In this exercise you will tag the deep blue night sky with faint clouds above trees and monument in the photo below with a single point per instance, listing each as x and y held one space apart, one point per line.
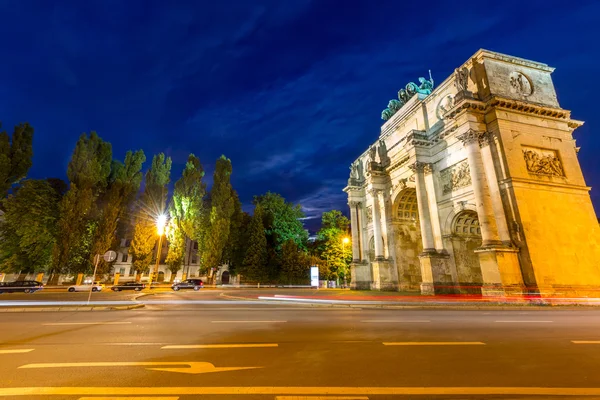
291 91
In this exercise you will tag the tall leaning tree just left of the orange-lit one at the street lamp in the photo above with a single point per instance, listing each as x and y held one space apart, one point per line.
114 204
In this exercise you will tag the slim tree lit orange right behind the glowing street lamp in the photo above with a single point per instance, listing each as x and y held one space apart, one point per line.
152 204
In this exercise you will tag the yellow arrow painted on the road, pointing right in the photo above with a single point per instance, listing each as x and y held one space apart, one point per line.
167 366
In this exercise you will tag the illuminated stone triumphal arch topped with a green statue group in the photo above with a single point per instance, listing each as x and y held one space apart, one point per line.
474 186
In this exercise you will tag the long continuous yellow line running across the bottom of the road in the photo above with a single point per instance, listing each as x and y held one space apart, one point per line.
271 390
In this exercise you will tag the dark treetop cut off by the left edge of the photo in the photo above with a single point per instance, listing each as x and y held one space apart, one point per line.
15 156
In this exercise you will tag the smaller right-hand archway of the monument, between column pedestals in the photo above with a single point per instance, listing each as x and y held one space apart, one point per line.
466 237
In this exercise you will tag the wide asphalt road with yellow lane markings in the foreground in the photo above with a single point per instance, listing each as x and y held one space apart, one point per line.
300 353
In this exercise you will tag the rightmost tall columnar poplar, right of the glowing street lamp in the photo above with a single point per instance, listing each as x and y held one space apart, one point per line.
221 209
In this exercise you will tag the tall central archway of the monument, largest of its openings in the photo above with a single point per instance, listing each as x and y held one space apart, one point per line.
408 243
